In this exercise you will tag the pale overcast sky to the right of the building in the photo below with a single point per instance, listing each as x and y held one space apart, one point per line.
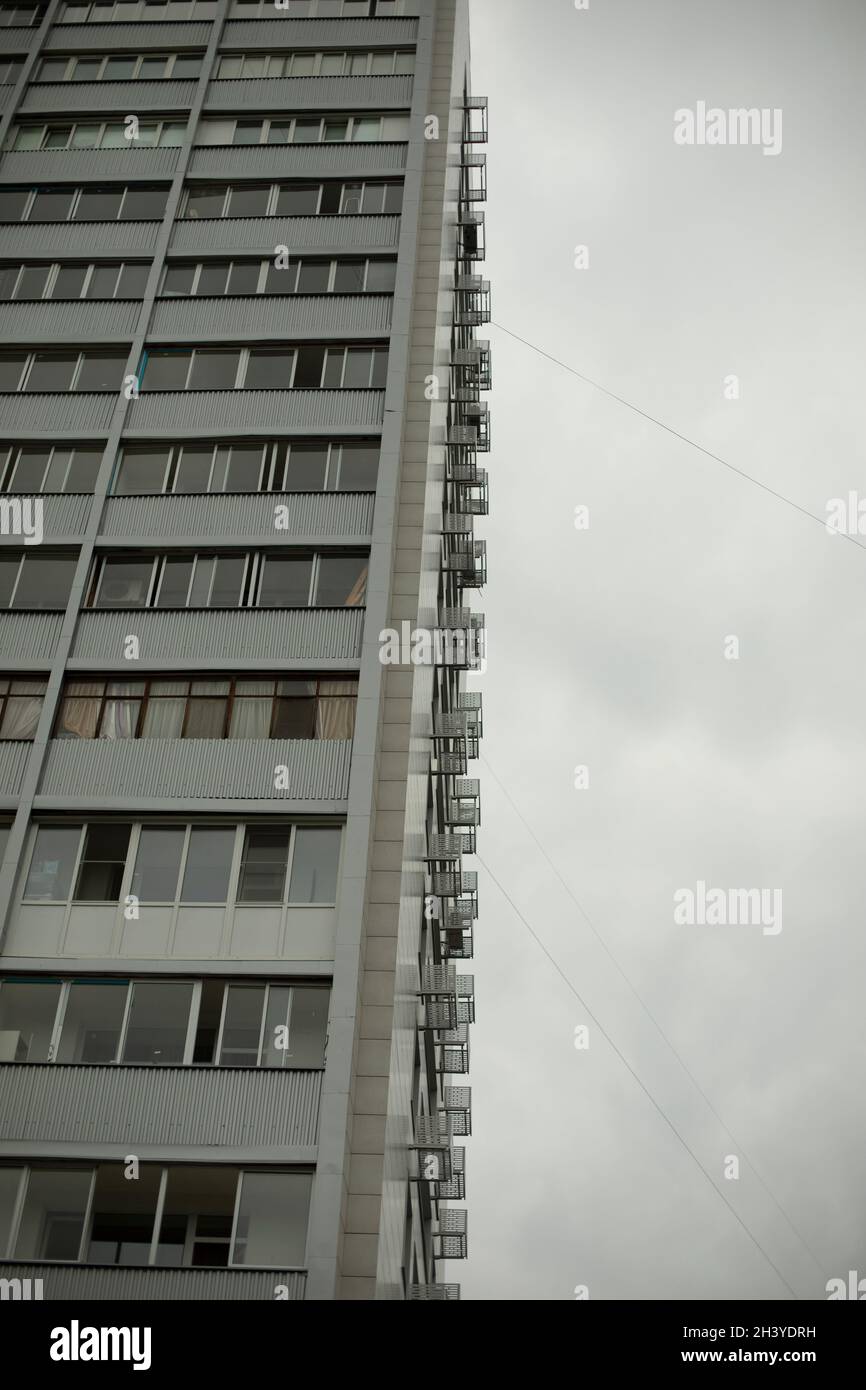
608 651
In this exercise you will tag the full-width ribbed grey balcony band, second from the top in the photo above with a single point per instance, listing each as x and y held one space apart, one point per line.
329 94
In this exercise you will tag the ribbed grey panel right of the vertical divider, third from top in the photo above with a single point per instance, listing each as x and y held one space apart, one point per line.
368 159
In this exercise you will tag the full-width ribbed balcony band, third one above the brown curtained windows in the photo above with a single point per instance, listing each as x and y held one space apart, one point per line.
188 415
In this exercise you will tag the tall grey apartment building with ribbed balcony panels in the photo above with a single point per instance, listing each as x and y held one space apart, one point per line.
241 422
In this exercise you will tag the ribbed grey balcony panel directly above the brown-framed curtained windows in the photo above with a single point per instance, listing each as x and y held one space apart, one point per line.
223 636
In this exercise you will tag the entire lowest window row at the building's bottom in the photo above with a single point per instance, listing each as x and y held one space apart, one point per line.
83 1214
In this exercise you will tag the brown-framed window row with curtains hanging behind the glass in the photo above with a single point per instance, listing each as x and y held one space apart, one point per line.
187 710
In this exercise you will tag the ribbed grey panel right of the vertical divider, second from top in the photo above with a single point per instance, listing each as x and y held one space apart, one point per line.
380 92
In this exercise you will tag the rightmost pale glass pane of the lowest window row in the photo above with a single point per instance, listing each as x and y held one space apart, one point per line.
273 1220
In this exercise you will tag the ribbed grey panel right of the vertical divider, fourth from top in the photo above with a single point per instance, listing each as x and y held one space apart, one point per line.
301 234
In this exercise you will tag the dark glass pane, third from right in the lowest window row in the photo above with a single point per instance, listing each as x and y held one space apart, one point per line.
123 1216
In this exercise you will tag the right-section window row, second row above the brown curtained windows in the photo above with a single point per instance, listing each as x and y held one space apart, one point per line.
245 468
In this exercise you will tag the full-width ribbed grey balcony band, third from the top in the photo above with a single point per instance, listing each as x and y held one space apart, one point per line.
366 159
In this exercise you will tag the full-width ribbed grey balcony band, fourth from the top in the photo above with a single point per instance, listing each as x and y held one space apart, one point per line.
247 236
